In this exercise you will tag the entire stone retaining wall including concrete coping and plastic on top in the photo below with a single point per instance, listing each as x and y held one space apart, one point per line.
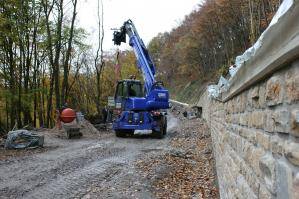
255 123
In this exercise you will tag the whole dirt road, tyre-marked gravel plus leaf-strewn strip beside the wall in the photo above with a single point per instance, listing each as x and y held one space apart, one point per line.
111 167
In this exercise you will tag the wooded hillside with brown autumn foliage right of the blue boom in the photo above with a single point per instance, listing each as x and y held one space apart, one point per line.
209 38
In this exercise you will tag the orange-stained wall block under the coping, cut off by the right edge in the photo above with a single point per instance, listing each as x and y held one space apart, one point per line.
292 84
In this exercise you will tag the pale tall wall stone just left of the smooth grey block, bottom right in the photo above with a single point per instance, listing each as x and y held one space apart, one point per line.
268 170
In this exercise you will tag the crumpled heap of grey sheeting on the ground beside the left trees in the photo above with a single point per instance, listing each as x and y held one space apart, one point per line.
21 139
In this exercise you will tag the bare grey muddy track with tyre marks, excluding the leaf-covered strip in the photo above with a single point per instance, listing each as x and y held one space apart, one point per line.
84 168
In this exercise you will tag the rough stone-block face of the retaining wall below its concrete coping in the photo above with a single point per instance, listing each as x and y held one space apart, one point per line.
256 138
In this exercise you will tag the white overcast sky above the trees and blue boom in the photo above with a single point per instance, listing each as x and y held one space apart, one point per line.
149 16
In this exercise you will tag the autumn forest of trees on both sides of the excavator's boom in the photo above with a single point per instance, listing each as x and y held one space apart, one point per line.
45 62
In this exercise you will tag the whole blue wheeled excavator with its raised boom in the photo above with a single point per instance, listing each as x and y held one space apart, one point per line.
139 107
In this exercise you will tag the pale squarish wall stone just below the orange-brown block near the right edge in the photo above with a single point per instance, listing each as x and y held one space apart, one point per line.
281 120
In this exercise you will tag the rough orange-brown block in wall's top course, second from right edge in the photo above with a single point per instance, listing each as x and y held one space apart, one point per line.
274 91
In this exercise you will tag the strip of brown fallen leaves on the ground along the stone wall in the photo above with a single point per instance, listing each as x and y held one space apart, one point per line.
186 171
